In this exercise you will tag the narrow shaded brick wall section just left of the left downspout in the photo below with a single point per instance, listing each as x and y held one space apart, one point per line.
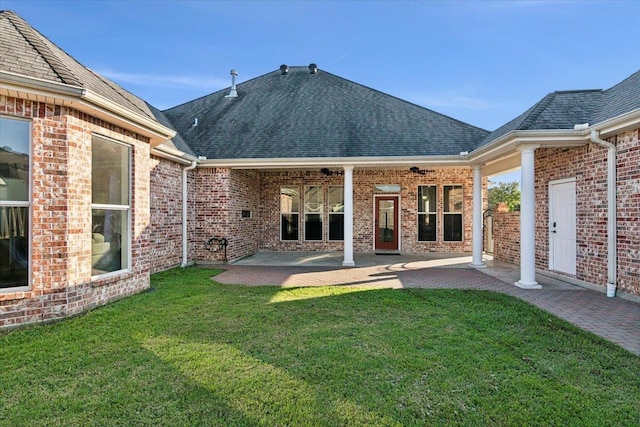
165 242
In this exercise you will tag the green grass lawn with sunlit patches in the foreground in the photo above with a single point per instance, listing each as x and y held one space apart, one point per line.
195 352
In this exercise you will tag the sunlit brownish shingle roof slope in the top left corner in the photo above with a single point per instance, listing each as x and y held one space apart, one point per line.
25 51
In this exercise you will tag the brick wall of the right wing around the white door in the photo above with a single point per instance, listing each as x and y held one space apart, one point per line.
588 165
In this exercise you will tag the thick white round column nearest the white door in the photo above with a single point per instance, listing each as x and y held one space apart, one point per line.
527 220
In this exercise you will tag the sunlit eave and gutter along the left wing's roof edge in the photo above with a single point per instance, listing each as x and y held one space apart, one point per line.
32 88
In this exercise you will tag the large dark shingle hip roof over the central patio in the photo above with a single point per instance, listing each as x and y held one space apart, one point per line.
315 115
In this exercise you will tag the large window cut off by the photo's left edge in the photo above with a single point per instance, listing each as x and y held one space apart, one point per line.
15 196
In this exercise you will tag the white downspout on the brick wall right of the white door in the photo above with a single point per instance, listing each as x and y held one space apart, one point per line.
612 244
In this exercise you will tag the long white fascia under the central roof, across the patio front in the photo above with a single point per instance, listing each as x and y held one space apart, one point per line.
335 162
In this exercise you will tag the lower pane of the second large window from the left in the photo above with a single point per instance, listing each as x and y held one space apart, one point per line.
109 240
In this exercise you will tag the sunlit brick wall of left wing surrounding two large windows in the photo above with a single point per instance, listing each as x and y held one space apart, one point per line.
61 216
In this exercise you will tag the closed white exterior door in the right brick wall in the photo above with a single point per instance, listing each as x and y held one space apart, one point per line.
562 226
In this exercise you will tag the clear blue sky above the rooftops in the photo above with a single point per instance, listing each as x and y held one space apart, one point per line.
480 62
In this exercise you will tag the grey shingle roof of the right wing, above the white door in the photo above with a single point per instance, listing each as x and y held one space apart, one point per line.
565 109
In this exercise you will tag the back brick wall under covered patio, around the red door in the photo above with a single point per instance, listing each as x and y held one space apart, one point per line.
364 181
